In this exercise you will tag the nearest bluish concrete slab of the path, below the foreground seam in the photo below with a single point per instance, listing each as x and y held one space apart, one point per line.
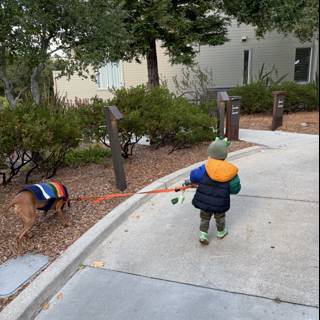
115 295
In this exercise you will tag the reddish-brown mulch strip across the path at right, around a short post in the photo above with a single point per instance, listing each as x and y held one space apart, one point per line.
300 122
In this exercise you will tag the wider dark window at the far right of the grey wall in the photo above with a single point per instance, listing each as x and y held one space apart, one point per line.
302 65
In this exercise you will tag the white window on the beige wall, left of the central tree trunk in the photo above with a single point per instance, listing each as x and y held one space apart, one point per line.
110 76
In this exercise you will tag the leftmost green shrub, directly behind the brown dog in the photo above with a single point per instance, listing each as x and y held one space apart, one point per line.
37 136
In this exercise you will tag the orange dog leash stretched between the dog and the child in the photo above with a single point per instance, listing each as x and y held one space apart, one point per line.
99 199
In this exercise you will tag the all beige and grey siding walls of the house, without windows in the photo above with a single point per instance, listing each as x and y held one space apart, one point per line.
225 61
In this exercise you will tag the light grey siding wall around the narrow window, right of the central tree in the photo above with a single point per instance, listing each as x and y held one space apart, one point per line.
227 61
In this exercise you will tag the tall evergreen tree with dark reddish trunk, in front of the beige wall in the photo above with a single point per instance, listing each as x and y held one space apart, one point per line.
179 25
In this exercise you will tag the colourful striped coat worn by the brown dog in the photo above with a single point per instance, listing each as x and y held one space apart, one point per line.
48 192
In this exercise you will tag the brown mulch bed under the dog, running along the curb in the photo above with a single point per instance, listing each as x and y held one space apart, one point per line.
50 238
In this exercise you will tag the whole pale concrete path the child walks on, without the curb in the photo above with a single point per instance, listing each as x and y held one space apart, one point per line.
267 268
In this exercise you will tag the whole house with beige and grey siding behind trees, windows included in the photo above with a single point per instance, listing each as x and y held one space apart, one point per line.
236 62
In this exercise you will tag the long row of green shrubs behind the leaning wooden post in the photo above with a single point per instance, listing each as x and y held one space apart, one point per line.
46 137
